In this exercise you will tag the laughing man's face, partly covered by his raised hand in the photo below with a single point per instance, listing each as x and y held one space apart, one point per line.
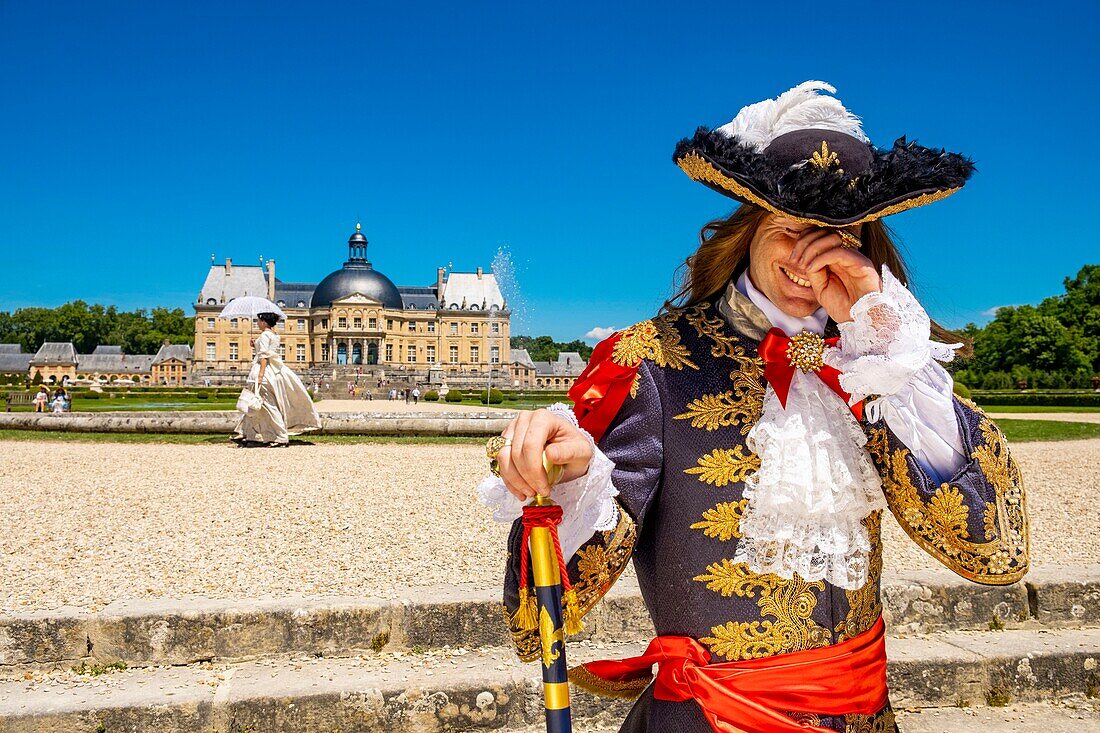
772 270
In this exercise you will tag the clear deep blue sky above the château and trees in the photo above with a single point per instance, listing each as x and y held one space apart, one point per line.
141 138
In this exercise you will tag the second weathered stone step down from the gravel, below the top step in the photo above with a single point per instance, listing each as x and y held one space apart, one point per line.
489 688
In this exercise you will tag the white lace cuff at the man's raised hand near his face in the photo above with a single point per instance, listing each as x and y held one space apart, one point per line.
886 344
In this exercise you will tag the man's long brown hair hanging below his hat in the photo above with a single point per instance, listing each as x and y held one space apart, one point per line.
724 251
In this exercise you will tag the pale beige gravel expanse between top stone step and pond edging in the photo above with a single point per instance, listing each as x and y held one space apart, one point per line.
86 524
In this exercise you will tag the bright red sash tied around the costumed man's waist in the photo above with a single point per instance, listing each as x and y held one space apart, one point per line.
752 696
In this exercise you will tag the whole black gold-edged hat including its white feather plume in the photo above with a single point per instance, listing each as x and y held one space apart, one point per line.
806 157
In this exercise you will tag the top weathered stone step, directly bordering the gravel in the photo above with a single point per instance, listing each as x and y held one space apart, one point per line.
142 633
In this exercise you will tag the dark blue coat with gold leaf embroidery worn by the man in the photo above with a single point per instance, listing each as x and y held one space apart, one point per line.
678 443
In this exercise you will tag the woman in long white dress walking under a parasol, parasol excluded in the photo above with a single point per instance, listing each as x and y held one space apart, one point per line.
288 409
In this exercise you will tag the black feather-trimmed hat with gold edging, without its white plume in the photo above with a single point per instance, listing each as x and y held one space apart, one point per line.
822 177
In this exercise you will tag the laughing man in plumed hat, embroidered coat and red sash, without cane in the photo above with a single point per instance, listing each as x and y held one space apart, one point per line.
741 447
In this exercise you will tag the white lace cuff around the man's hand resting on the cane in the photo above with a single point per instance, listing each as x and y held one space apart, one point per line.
588 502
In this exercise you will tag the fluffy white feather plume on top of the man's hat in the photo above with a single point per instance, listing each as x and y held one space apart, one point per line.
800 108
